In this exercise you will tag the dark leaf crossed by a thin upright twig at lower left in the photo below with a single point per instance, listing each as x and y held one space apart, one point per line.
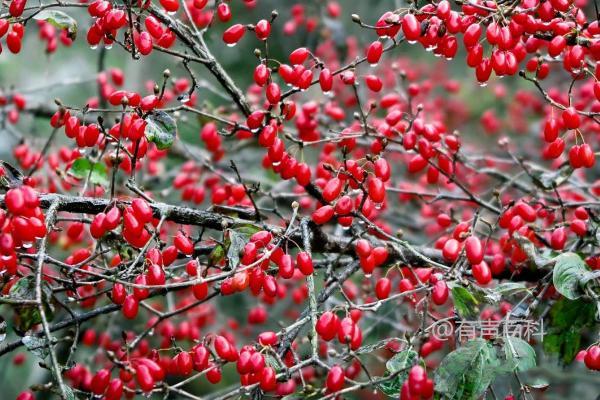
28 315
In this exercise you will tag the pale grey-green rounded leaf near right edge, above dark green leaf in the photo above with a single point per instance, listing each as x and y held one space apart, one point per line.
568 271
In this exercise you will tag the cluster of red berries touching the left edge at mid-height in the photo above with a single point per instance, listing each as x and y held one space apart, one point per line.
20 225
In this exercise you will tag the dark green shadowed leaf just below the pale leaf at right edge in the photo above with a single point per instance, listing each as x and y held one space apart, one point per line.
566 322
